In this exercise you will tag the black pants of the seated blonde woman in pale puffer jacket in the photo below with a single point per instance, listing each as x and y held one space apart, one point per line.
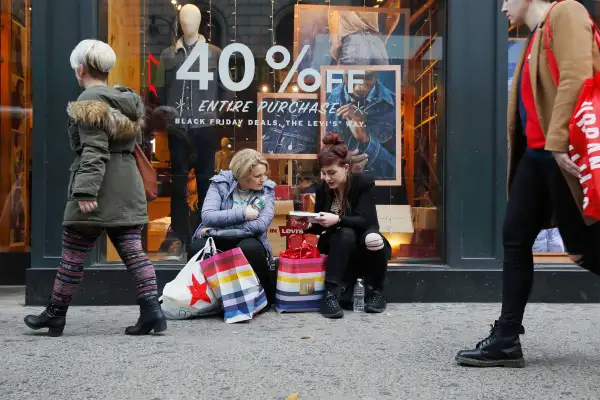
255 254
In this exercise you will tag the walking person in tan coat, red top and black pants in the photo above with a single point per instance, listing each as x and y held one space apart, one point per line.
543 181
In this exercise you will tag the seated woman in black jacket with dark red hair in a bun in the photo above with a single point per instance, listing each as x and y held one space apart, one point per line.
349 232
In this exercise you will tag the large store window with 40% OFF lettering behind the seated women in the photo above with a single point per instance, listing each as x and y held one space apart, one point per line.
285 69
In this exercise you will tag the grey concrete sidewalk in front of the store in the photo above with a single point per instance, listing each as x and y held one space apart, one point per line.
406 353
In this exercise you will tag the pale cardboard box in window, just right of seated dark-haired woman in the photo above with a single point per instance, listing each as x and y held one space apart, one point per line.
395 223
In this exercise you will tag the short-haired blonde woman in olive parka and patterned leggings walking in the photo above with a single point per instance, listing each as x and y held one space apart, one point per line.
105 190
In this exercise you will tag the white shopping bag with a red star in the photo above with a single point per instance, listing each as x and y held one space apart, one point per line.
188 295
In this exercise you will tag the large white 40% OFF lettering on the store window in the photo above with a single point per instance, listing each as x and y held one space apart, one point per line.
204 75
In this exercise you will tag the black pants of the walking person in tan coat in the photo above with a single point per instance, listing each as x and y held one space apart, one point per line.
539 190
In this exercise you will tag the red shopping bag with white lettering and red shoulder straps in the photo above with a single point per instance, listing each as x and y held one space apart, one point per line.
584 128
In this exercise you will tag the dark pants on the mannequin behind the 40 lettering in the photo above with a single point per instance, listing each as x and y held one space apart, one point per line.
191 148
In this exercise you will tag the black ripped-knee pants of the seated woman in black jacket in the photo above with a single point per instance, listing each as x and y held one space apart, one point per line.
349 259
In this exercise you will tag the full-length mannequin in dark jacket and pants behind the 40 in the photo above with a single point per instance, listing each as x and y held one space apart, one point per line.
191 131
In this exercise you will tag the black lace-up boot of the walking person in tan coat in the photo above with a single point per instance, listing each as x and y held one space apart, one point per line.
502 348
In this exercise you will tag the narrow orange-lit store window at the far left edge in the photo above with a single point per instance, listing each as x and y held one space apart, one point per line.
15 125
